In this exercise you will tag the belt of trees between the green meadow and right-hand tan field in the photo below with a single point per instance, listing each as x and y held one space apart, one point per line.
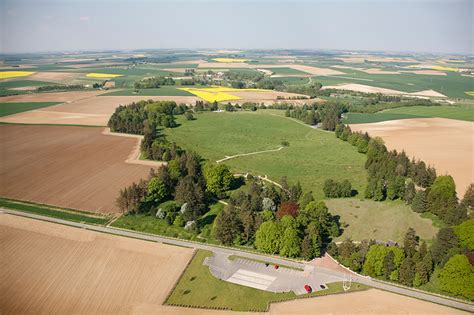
392 175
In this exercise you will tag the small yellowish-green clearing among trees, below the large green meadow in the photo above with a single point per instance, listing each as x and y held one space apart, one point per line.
389 220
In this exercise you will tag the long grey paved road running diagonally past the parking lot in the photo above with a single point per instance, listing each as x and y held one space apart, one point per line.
224 251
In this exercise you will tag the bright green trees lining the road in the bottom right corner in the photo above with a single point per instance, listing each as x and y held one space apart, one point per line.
447 263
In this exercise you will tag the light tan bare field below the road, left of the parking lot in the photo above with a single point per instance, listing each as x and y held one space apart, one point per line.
82 272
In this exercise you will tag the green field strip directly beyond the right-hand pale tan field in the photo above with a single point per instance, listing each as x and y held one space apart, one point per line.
465 112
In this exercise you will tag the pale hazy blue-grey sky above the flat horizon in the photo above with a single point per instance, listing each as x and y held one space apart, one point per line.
400 26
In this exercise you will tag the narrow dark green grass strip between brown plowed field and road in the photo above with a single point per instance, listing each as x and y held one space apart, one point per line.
54 212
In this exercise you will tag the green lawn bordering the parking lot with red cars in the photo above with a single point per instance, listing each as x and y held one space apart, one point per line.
198 288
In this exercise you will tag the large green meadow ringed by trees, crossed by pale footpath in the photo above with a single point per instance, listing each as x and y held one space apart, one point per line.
312 156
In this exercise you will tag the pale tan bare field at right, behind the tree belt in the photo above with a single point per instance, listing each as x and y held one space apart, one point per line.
444 143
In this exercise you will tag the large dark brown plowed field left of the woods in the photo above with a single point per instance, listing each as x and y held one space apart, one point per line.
72 167
